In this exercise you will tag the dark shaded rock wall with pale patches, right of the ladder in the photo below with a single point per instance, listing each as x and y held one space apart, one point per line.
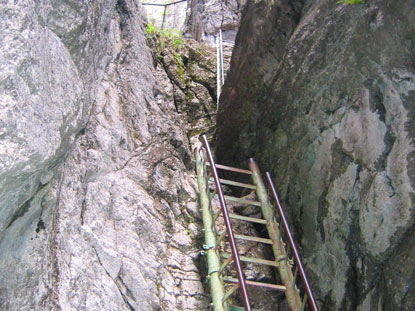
323 96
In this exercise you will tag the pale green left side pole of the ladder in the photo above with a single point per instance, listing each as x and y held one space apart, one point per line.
216 285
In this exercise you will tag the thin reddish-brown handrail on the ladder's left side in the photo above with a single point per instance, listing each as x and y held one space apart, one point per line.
228 225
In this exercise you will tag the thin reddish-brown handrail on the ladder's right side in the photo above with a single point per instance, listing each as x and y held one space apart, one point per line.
296 256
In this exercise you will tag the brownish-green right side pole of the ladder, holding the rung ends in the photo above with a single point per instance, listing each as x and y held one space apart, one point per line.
280 254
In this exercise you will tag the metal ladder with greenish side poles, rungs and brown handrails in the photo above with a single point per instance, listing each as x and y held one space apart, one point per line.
217 262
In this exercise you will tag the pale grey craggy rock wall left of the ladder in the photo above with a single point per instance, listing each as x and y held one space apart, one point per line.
98 201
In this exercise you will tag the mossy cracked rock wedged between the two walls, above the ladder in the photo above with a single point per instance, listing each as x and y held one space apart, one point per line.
192 74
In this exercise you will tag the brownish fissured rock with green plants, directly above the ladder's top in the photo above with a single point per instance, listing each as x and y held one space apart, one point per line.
190 79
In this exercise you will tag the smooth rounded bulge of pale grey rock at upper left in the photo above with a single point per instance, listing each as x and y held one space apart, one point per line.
42 104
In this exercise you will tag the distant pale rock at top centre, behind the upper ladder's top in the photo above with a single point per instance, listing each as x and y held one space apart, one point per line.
205 18
